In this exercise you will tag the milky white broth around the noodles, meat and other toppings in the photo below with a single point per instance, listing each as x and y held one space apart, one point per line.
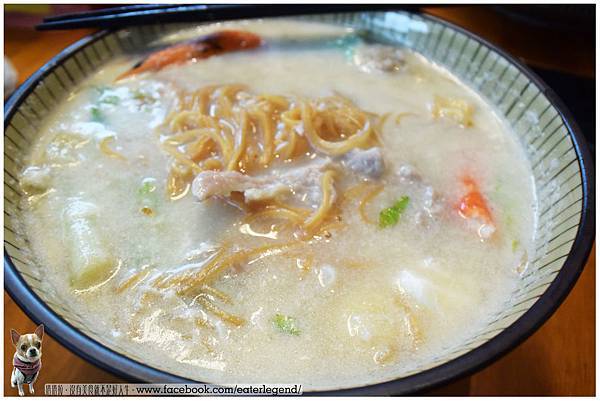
376 303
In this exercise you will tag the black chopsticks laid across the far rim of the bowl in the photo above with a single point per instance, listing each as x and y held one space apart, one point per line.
120 17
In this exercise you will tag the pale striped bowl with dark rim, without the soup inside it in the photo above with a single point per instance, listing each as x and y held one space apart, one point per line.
556 149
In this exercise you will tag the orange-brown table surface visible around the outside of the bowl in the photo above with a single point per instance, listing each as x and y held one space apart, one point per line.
559 359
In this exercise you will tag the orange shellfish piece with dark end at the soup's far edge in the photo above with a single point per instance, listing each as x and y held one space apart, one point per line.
207 46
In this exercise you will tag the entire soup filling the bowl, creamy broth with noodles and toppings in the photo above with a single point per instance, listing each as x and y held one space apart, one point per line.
306 208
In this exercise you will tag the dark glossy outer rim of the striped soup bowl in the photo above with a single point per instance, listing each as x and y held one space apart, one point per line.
465 364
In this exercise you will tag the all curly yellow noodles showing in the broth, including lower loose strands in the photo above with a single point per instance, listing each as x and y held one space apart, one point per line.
227 128
